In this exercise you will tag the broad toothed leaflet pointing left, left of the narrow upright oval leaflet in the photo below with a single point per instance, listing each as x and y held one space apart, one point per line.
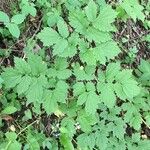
48 36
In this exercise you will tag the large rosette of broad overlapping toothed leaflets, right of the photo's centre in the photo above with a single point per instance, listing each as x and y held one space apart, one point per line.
120 82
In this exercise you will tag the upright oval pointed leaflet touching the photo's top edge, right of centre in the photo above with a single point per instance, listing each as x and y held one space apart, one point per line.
91 11
